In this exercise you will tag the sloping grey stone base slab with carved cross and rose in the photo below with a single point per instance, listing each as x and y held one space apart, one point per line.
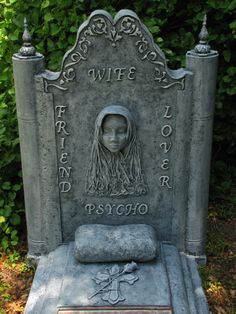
169 284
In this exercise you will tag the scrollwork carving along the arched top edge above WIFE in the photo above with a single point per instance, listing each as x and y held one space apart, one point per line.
126 23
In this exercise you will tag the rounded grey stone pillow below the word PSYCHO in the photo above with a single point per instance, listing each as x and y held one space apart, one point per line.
103 243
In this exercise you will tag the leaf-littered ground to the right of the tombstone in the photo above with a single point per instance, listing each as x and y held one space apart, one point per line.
219 274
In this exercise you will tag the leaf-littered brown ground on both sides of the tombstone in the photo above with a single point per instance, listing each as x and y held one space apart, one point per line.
218 275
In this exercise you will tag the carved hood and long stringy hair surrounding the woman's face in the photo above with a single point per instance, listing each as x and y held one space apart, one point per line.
117 174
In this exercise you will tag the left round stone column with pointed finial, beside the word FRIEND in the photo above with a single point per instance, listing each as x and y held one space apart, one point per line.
26 64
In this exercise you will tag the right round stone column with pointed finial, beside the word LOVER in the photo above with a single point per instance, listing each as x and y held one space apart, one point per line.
202 61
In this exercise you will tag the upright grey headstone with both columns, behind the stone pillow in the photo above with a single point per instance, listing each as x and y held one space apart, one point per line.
158 177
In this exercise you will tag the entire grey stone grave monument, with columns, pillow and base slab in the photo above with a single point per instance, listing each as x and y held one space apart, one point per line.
116 156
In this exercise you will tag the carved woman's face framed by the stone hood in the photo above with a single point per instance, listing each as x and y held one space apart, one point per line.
114 132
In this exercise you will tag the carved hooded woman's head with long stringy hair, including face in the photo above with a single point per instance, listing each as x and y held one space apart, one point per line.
115 167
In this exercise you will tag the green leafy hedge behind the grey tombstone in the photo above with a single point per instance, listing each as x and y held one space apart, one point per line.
175 25
